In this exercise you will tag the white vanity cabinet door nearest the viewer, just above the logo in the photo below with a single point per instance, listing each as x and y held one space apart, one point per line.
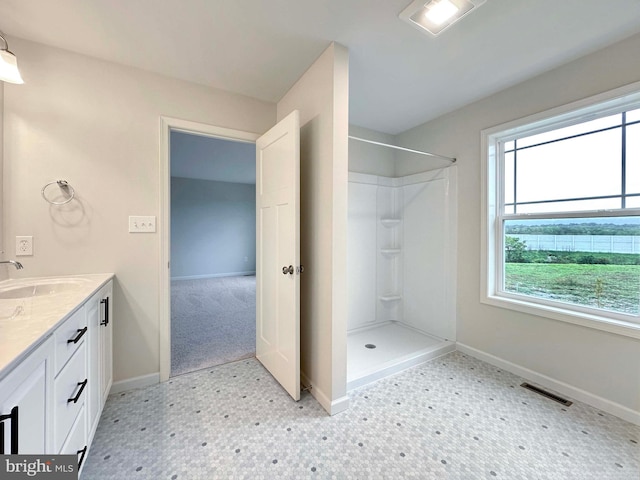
23 406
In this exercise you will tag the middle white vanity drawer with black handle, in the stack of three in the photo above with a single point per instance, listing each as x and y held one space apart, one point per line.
70 393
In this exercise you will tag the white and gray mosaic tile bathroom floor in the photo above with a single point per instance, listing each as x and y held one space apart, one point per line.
453 418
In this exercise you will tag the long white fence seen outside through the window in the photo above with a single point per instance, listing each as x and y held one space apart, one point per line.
582 243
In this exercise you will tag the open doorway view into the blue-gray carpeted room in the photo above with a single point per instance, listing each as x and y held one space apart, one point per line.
213 250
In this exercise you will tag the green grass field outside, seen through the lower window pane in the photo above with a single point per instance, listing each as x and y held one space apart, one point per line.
611 287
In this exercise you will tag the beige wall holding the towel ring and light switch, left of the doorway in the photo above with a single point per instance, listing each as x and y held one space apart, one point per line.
96 124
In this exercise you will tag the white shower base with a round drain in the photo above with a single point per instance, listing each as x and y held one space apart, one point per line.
397 348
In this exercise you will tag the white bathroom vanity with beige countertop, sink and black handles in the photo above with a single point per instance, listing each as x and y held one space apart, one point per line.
55 362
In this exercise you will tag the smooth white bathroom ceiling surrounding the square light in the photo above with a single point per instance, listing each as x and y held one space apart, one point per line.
399 78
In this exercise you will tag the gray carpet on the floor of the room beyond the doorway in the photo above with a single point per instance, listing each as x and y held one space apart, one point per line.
213 321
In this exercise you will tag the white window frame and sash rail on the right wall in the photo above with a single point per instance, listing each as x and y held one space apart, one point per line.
492 139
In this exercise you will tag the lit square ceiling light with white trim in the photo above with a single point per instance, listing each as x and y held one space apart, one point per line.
435 16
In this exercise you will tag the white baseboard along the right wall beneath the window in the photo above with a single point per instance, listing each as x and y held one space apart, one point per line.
561 387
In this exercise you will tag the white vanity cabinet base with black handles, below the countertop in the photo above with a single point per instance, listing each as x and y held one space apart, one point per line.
52 399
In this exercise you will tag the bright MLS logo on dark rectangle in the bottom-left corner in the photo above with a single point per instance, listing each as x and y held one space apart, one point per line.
50 467
